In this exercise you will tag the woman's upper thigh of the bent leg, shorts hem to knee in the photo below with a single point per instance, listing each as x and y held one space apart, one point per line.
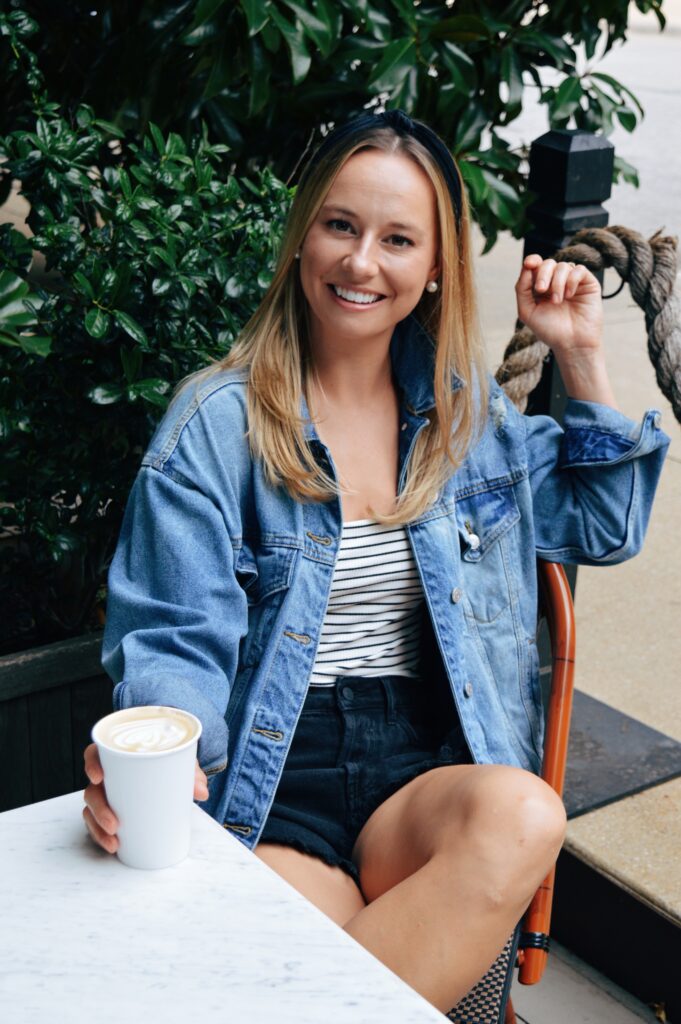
431 815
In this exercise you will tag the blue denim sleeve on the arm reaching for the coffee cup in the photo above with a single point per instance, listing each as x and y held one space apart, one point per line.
176 613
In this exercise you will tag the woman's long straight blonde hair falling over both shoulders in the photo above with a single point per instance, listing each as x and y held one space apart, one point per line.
274 346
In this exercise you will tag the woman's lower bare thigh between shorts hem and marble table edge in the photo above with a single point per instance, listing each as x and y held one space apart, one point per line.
330 889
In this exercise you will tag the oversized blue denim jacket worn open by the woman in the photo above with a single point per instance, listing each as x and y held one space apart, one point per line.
220 585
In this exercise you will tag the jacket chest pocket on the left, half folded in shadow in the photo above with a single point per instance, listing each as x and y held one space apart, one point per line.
265 574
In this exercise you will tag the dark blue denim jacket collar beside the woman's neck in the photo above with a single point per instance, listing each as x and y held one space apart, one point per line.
413 358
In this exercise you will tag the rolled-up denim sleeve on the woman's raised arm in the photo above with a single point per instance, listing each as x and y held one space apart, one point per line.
593 482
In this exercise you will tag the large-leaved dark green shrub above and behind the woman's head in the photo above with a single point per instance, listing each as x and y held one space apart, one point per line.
264 73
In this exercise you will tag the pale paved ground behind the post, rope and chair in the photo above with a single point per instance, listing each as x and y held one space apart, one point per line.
629 642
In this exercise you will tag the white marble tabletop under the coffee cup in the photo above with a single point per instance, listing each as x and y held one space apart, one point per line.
221 937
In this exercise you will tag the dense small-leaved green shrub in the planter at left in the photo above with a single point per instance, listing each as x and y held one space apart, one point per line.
152 266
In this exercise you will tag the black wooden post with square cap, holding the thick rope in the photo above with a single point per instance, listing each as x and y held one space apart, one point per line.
571 173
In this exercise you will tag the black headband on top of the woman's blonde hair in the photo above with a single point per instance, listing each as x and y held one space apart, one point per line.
403 125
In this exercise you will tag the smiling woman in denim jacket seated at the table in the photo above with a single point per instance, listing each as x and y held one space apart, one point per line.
329 558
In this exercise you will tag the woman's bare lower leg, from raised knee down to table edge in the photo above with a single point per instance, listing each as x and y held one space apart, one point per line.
442 927
